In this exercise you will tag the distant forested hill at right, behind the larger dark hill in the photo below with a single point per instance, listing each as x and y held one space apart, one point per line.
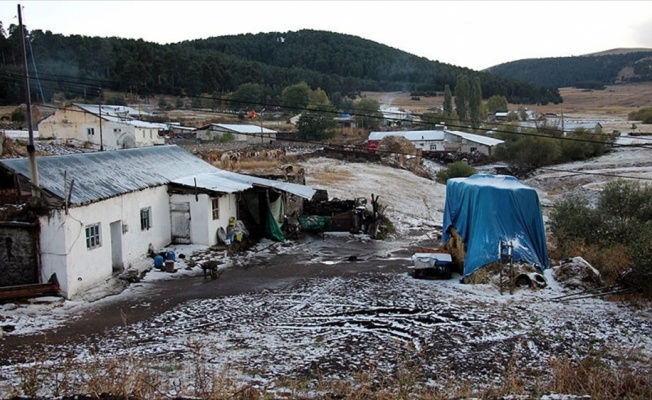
589 71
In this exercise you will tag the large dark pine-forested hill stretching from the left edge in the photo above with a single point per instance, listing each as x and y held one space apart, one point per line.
337 63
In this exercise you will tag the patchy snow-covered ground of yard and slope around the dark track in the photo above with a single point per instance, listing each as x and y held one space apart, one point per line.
377 323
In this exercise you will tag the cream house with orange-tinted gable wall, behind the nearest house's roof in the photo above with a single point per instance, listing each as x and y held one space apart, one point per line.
107 126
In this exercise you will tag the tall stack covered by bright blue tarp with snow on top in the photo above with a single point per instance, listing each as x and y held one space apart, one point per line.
487 209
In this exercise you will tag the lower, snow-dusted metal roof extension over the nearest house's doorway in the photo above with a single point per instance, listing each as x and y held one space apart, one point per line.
231 182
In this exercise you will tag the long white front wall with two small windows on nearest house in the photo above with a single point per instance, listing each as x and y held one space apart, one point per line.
78 268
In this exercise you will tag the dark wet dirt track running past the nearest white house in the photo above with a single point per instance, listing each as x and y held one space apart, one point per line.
336 256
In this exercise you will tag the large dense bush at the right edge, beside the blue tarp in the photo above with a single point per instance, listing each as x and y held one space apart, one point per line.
614 234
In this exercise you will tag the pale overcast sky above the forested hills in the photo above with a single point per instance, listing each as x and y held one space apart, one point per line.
470 34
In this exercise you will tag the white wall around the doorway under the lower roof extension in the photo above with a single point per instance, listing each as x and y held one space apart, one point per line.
203 228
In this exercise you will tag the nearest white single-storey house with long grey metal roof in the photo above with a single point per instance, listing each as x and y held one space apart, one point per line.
100 211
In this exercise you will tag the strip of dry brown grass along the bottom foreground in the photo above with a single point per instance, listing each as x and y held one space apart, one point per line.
130 377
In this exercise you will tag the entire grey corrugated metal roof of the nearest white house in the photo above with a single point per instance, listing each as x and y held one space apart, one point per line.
106 174
